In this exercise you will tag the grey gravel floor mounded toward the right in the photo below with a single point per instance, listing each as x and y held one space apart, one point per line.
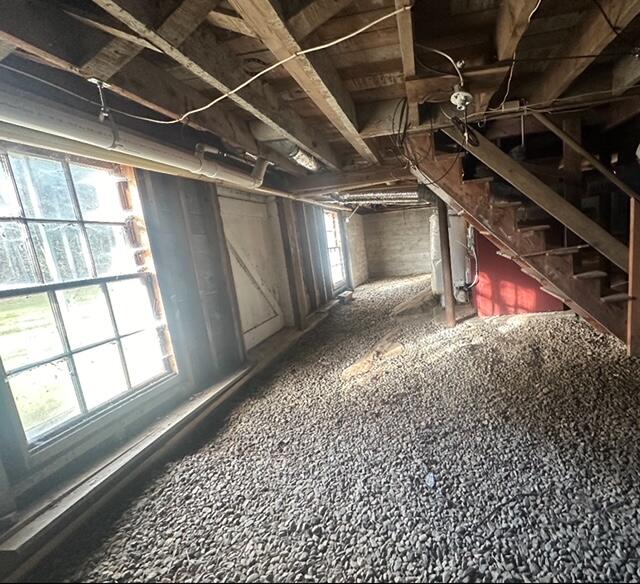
504 449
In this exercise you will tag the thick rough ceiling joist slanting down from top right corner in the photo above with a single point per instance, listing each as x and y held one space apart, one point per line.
591 37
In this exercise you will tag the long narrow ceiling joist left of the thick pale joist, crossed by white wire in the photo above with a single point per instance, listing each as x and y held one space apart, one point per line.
219 68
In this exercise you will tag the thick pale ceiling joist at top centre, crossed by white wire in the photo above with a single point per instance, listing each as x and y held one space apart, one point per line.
314 73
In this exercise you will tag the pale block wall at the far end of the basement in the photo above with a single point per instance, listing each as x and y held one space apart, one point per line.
397 242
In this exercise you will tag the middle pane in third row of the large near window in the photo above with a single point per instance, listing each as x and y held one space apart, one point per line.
86 315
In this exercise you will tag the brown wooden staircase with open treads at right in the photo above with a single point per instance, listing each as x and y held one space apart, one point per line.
578 275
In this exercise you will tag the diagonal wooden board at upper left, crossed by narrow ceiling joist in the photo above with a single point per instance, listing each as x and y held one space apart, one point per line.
175 29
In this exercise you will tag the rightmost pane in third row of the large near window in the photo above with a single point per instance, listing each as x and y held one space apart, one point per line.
131 305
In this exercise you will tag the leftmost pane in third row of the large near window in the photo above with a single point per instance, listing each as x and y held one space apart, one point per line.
28 331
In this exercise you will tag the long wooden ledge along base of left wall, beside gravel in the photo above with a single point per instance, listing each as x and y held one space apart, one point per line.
48 522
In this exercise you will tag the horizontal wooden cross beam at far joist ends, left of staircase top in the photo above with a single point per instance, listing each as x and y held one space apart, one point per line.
332 182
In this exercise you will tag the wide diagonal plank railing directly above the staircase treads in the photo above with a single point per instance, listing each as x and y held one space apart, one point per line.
532 187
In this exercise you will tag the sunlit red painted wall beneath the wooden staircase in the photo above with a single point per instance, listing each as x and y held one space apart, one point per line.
503 289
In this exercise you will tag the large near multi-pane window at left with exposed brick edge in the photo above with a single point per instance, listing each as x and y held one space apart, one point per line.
81 320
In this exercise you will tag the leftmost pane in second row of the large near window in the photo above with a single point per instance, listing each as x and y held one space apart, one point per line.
16 263
